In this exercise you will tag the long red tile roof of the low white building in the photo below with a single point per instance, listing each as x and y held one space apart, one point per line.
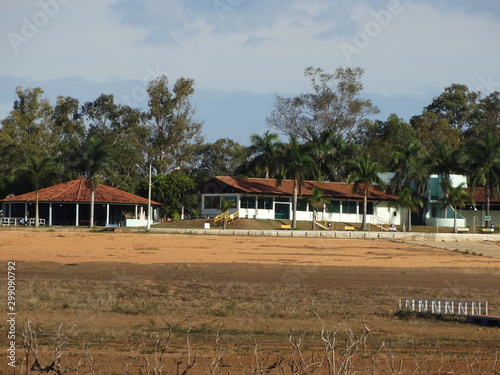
338 190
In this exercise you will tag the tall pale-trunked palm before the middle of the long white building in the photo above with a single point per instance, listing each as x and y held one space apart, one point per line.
294 163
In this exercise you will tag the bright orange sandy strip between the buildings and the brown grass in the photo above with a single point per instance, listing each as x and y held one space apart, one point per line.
80 247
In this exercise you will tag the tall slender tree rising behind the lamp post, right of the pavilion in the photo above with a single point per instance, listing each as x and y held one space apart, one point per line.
174 134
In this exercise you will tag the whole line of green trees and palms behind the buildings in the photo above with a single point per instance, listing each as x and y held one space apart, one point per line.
326 134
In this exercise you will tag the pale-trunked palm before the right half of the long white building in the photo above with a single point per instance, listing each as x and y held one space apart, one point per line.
364 173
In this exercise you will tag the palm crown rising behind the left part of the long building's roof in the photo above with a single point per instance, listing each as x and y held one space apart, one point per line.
265 149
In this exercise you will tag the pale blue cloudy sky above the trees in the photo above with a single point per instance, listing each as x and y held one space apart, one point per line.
241 53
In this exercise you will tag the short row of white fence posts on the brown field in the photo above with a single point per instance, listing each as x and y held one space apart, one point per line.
443 306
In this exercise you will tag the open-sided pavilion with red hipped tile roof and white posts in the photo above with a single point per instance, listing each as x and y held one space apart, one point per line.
69 204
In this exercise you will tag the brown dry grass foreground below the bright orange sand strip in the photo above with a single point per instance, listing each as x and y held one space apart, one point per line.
237 318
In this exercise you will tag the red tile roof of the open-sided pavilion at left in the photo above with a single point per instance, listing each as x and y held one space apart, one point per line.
76 191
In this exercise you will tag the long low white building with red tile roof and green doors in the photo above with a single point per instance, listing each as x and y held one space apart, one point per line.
259 198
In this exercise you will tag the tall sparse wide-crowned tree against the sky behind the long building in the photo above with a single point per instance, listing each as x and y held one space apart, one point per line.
334 104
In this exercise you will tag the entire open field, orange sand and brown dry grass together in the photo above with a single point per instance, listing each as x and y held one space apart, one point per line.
129 303
